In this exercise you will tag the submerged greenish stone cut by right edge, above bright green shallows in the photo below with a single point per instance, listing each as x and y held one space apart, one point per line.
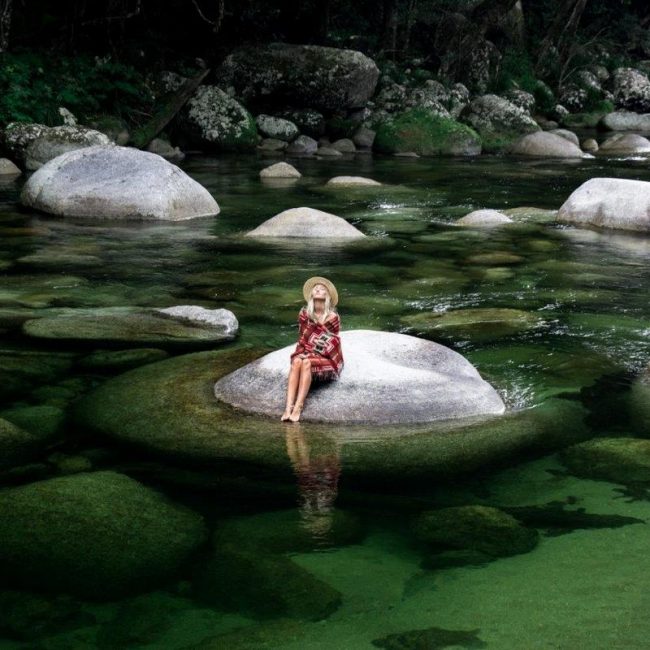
620 460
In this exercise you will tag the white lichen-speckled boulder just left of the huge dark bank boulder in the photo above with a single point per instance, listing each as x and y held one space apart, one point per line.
214 121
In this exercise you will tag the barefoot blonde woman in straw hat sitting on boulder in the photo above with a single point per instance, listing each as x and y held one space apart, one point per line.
318 353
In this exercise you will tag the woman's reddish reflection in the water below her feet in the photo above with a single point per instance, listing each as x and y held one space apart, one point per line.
317 475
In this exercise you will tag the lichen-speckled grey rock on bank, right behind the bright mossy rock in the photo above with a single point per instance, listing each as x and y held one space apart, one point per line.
498 121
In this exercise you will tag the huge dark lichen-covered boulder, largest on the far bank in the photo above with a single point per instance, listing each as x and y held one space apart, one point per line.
307 76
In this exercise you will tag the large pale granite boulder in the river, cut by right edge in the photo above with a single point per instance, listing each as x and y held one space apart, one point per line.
609 203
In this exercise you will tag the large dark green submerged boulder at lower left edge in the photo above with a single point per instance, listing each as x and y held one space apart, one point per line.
97 535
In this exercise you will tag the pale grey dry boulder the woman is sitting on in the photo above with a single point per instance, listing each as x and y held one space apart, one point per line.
388 378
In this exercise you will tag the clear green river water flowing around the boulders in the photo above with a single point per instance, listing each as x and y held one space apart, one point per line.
564 364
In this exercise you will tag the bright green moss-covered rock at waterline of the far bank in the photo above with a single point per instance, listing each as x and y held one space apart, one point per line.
427 134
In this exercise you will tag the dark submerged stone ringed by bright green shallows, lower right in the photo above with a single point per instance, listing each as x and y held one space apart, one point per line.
476 527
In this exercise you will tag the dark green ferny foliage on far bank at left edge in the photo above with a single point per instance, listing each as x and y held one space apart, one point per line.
33 85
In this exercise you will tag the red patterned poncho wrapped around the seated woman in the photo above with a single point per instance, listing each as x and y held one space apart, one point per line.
321 344
